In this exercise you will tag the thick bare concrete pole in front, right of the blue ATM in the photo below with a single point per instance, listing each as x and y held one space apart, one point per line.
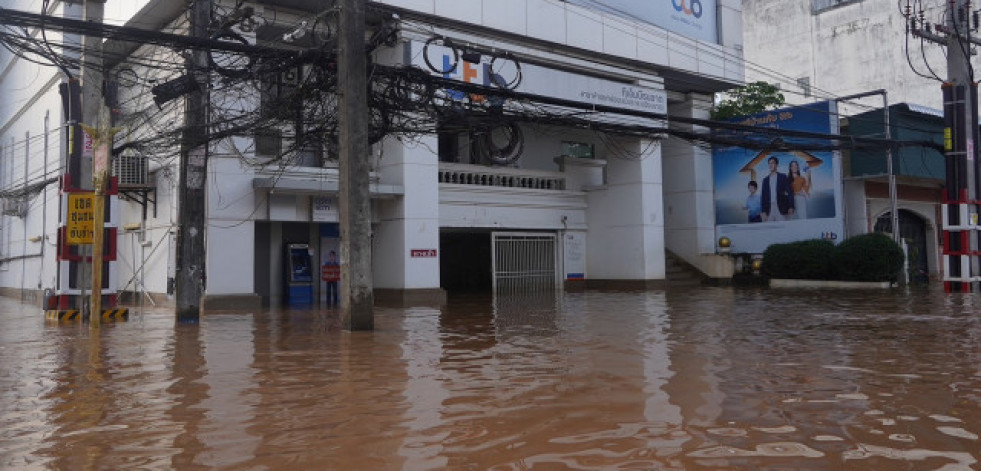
357 297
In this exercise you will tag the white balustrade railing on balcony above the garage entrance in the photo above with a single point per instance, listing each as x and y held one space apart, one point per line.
458 174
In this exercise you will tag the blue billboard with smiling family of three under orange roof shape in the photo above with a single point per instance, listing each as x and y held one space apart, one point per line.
766 196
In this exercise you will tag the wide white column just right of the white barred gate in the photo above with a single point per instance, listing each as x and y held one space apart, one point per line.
626 223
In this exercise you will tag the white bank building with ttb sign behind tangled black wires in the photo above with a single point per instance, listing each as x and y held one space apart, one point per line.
583 204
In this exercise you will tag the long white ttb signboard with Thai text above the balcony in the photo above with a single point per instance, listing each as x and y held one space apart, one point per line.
543 81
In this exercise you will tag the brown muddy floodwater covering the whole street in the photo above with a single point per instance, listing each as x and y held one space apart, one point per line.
700 379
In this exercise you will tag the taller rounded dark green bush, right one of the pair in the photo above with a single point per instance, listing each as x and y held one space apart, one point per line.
868 257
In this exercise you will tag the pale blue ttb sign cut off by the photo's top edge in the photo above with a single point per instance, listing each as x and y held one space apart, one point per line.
693 18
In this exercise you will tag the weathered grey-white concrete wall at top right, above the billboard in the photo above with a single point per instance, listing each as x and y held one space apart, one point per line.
854 48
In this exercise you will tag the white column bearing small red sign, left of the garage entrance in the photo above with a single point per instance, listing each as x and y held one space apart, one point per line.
410 222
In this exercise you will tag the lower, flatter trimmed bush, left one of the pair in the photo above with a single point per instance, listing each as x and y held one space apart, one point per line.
803 260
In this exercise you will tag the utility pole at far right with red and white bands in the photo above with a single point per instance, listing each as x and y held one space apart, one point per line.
960 91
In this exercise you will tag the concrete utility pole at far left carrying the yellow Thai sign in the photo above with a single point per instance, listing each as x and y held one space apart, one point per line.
92 103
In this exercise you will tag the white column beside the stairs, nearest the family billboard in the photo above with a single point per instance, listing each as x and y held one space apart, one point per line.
689 206
